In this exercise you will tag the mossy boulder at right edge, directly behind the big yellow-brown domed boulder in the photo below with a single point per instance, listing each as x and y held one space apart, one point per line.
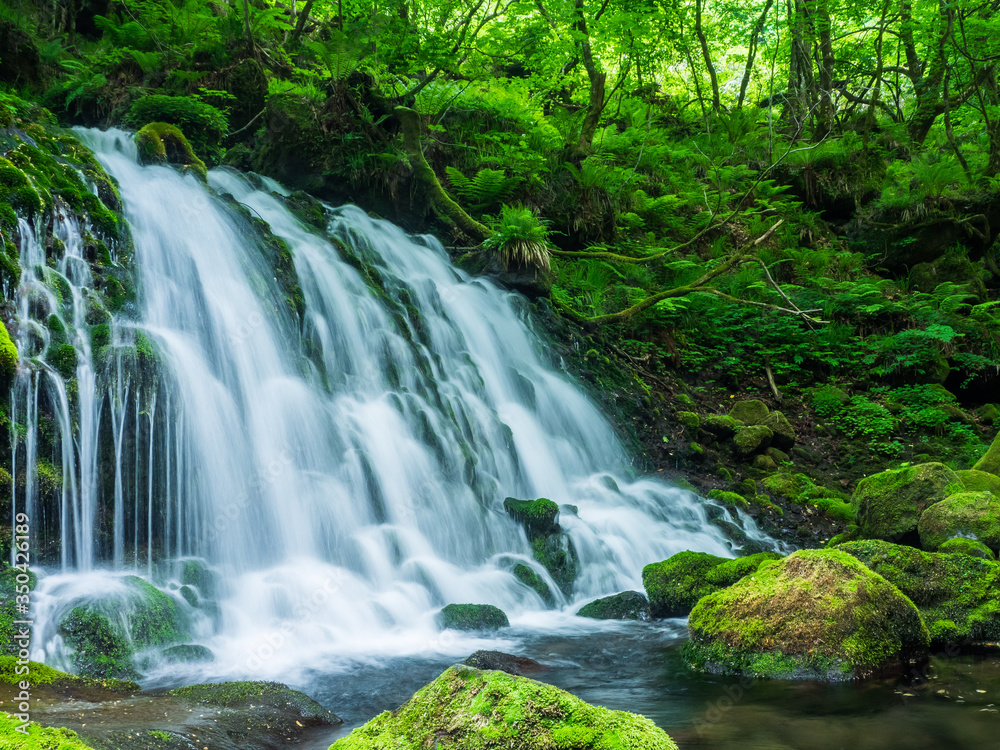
955 593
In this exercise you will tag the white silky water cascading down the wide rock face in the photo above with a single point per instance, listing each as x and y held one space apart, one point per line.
342 474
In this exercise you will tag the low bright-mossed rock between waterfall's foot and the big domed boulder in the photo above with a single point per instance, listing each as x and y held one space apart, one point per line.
675 585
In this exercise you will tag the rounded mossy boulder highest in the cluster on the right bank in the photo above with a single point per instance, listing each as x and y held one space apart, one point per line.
888 505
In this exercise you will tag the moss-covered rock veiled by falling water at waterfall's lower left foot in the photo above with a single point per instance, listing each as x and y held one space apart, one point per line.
105 632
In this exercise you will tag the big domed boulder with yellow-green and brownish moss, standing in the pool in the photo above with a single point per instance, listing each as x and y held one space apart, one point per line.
817 614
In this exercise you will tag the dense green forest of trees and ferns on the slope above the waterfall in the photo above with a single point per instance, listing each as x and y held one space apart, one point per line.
797 201
